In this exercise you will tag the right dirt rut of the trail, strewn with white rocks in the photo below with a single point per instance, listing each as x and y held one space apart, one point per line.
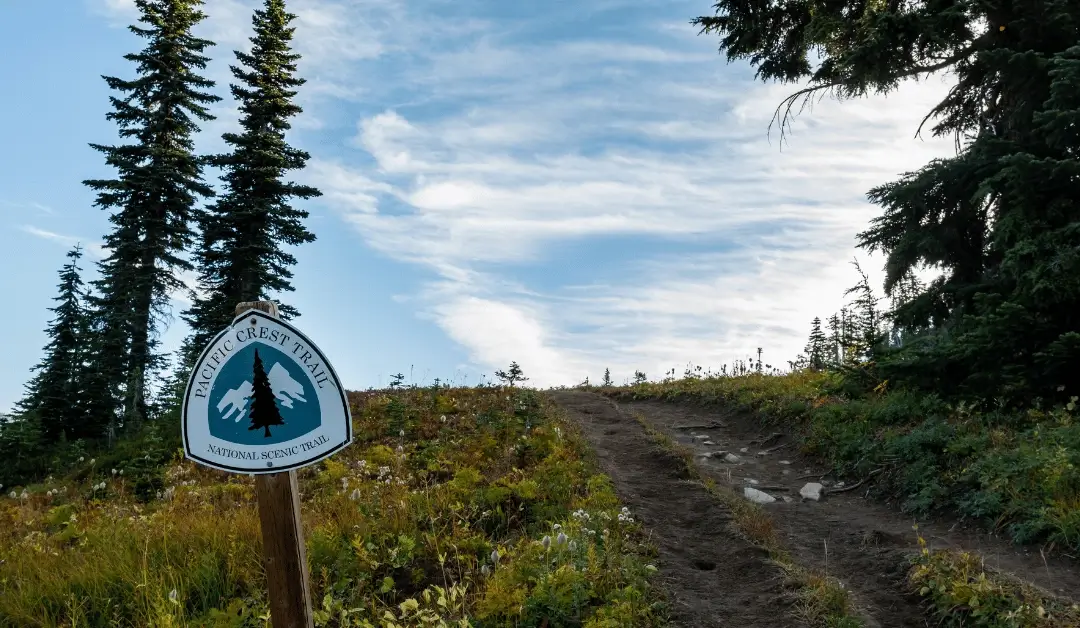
868 542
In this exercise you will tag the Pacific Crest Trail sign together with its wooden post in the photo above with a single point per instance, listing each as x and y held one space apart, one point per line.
264 400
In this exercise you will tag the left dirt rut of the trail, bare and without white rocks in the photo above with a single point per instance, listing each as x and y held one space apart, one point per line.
713 579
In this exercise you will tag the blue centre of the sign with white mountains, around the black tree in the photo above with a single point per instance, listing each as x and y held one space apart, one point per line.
236 379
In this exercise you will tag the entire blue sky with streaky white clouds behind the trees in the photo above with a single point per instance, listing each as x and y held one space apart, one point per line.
572 185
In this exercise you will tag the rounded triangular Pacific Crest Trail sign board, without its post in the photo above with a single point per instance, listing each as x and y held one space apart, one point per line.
264 399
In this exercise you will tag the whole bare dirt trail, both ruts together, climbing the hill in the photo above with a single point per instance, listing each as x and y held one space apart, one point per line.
862 543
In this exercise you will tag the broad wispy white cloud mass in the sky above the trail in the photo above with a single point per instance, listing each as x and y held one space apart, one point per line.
548 158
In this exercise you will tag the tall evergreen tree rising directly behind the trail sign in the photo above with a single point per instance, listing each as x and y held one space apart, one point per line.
242 256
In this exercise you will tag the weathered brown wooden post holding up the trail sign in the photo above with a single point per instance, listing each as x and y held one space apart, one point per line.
285 556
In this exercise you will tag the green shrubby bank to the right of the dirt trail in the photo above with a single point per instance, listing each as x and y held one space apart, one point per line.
1019 473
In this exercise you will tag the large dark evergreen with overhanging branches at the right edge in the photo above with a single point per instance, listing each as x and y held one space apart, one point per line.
1000 219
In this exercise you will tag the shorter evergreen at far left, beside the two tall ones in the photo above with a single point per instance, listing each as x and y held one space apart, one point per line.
53 394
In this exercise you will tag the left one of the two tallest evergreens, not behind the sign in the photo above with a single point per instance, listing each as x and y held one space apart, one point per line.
159 181
